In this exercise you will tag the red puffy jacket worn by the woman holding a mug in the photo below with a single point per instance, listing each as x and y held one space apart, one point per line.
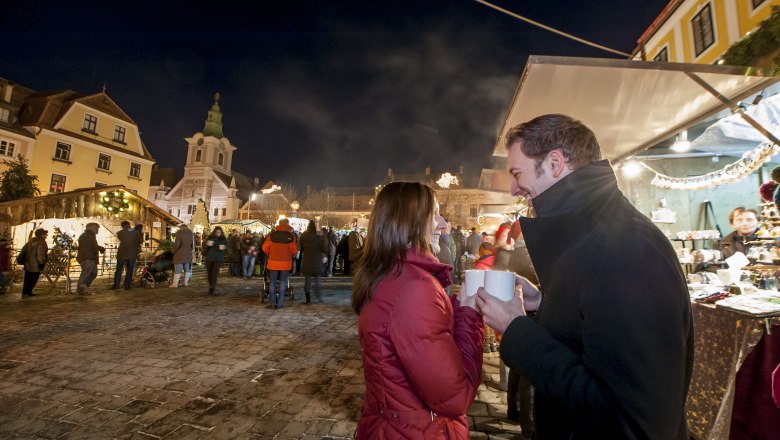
422 355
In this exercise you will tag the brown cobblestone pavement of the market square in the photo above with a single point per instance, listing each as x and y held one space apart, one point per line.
176 363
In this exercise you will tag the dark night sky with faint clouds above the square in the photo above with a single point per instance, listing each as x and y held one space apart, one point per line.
313 92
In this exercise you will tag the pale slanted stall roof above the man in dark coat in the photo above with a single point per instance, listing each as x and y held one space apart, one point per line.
629 105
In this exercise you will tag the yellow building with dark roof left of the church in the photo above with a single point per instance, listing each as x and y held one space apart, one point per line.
75 141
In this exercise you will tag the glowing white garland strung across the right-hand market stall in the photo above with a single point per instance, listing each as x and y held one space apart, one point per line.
747 164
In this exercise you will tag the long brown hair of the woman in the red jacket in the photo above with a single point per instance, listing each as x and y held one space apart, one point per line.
401 218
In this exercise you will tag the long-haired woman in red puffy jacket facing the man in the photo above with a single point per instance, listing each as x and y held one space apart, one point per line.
422 351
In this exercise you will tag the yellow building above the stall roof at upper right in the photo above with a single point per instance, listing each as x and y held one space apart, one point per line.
700 31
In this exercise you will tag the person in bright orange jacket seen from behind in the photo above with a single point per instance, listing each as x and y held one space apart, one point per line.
280 246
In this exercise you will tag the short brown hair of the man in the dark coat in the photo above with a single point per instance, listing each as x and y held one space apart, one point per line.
546 133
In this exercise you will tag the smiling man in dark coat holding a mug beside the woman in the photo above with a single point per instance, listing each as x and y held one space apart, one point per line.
611 351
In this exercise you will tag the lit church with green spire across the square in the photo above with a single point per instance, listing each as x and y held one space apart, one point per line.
208 176
